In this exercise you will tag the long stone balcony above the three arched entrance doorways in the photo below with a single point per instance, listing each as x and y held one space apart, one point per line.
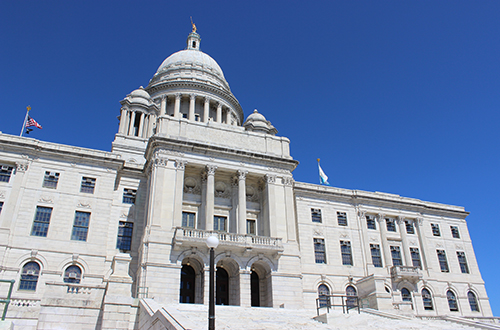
198 238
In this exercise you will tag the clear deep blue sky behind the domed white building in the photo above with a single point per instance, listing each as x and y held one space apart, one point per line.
393 96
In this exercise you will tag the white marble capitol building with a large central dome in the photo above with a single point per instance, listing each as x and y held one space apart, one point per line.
91 237
